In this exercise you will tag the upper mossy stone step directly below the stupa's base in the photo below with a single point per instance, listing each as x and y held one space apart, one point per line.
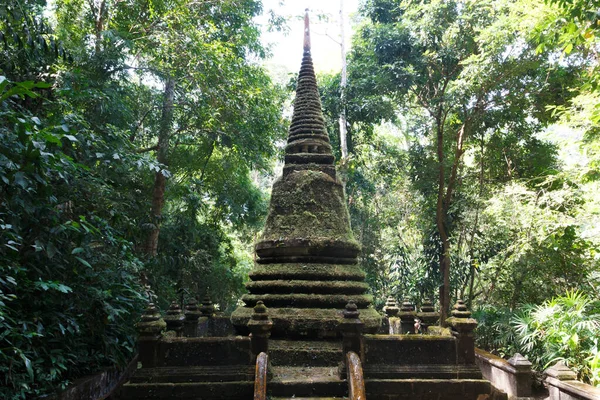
305 353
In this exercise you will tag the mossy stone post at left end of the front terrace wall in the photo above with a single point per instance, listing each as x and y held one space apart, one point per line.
150 330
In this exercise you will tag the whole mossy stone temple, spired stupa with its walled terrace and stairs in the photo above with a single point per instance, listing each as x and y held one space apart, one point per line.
307 328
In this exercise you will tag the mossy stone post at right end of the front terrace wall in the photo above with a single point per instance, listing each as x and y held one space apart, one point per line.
461 326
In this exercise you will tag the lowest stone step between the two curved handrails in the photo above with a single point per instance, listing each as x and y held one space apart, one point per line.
298 382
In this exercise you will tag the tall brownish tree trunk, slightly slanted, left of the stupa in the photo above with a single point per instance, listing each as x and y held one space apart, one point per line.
158 193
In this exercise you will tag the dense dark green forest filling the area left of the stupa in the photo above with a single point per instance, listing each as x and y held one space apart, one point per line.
87 128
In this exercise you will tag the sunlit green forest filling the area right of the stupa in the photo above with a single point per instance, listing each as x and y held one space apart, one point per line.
484 114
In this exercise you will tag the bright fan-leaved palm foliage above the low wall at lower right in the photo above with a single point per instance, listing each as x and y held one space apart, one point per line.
564 328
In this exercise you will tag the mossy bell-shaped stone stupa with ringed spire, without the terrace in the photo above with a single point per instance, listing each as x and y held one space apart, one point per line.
307 267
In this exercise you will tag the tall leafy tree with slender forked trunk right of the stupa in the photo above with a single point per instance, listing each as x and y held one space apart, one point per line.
446 63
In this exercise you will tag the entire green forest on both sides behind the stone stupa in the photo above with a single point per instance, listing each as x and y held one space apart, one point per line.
139 139
